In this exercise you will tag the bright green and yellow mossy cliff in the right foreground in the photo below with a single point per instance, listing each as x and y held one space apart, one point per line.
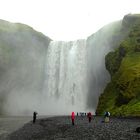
122 95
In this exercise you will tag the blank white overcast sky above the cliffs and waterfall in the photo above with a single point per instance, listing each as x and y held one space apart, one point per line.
66 19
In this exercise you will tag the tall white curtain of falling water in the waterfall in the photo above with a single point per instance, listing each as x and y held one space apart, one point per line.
66 86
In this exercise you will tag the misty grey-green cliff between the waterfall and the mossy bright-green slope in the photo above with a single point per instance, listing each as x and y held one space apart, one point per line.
98 45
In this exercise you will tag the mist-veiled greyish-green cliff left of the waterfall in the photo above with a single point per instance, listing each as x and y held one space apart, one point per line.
22 55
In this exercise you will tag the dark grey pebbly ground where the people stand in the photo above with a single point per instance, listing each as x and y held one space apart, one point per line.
60 128
